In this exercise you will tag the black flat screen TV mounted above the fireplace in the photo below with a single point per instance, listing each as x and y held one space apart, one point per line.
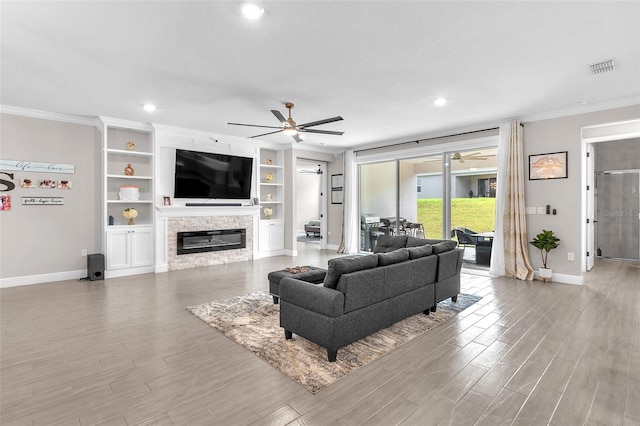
208 175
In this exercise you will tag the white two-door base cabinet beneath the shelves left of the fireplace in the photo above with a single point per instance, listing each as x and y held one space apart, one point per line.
129 248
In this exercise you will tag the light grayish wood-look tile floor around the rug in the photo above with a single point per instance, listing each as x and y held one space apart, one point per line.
125 351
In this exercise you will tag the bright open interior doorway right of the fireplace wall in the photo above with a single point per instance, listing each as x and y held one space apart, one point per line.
311 204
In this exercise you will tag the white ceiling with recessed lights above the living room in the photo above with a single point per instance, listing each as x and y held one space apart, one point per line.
379 65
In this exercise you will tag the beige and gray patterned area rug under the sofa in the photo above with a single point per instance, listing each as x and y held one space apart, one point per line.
253 321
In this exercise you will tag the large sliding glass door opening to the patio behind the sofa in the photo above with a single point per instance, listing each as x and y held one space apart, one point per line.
438 196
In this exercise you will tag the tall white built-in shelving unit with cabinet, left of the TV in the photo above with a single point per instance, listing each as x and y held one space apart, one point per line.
127 161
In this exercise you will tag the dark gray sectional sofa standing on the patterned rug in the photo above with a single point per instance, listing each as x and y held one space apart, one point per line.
363 294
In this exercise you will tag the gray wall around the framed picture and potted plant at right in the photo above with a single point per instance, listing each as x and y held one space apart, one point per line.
564 195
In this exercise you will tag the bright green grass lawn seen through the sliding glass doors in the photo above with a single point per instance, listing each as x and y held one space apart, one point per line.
477 214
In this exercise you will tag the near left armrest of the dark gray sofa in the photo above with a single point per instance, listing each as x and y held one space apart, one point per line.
314 297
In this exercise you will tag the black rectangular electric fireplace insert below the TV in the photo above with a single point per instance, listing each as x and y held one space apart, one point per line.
214 240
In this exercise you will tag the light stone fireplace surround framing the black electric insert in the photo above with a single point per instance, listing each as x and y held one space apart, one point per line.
198 223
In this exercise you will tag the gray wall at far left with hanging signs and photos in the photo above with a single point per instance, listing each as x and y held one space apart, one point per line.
48 239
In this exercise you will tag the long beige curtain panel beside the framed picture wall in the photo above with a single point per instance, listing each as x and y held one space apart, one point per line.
516 245
